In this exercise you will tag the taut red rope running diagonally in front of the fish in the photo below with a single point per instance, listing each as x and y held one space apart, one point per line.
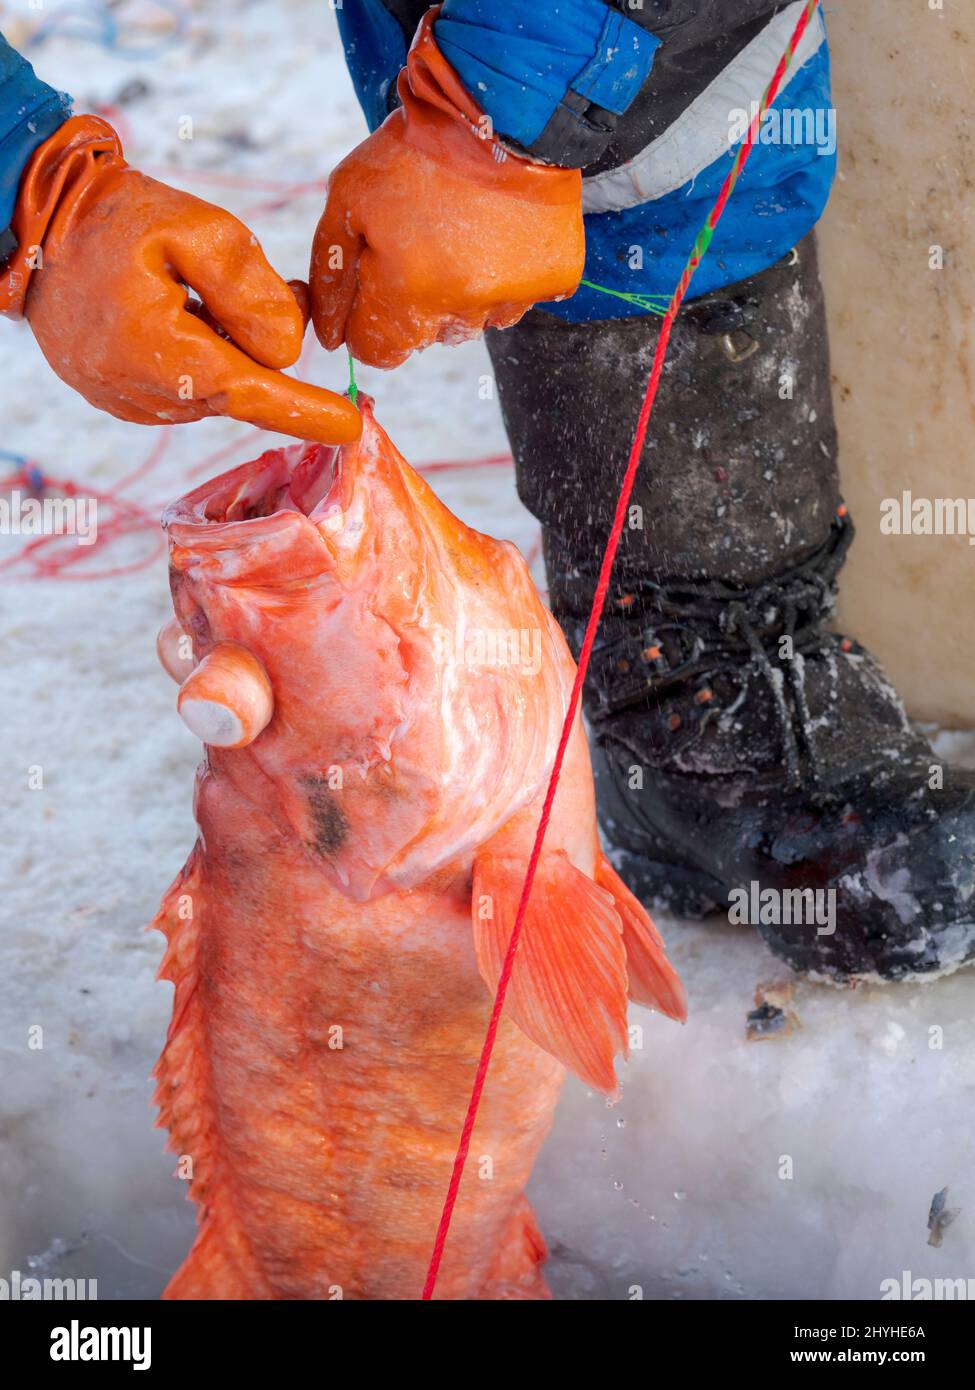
599 603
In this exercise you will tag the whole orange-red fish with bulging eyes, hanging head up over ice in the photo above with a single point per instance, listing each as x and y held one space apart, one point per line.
382 692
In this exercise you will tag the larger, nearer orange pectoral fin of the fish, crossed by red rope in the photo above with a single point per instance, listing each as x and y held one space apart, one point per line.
570 983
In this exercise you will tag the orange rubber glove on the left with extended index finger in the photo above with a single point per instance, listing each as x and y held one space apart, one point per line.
108 302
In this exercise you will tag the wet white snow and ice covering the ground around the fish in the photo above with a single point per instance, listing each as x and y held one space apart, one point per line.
677 1189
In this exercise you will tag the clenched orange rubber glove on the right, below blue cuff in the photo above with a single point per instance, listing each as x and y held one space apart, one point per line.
435 230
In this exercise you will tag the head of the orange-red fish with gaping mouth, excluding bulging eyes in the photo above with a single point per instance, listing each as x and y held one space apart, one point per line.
418 682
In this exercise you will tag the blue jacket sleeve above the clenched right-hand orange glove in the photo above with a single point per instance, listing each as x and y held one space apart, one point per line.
551 74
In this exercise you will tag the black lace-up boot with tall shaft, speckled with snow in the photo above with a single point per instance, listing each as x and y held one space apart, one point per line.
746 757
